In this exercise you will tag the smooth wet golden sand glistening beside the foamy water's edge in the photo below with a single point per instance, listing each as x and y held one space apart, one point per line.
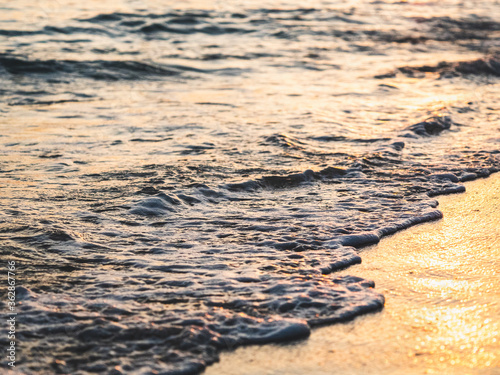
441 282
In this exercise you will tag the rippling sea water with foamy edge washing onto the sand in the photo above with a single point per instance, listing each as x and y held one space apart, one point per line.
179 179
